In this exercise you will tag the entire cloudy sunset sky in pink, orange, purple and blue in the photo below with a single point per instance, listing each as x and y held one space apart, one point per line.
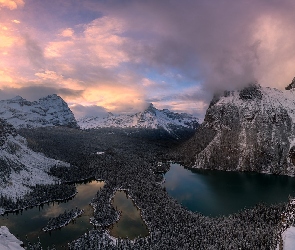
120 55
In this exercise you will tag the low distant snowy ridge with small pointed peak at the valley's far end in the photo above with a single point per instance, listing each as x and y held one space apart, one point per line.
151 118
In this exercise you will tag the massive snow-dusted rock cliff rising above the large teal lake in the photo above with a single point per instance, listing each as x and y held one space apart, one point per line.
247 130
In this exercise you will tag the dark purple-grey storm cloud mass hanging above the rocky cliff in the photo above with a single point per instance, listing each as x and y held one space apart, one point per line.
212 42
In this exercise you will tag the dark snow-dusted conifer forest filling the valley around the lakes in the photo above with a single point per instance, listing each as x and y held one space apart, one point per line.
128 159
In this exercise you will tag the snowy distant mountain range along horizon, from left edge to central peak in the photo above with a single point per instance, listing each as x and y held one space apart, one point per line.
52 110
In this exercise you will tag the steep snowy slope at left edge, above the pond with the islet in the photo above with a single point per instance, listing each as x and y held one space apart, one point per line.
21 167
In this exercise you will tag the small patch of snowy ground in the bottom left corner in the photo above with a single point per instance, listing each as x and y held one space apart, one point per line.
8 241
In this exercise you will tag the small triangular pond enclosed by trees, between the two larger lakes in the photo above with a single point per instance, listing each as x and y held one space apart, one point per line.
130 224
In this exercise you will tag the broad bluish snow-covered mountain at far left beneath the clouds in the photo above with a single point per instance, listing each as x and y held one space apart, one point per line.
48 111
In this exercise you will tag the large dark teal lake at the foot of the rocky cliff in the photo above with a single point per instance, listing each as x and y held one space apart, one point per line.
214 193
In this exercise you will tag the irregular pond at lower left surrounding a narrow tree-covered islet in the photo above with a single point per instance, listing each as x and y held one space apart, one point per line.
30 222
